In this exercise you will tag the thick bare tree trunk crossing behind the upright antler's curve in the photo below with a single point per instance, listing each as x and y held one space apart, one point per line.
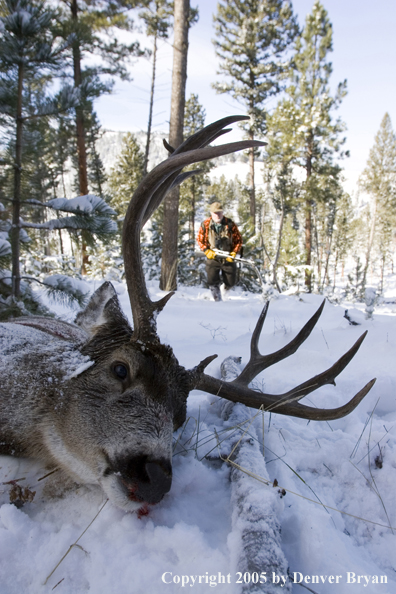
168 280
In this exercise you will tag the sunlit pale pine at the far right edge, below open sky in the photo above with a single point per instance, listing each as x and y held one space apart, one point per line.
379 181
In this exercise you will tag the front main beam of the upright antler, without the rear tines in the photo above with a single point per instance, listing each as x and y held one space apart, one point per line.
143 309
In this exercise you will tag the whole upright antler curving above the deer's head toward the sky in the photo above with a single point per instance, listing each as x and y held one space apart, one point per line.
147 197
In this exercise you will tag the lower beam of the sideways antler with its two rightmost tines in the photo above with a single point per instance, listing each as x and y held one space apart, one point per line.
287 403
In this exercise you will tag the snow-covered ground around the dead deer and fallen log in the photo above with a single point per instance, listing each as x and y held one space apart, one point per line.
348 465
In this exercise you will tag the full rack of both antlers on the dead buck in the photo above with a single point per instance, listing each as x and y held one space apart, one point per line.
145 200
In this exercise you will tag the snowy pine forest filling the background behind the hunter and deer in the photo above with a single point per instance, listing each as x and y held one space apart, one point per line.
61 211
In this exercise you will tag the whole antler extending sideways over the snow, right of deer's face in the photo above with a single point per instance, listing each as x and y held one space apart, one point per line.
284 404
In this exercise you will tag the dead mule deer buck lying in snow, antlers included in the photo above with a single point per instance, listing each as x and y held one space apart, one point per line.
99 399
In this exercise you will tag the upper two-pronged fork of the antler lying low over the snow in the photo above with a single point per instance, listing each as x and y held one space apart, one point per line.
258 362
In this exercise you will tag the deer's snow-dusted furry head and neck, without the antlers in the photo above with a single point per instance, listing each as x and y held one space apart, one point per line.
68 410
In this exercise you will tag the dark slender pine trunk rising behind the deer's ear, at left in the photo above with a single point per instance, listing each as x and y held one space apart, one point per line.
80 131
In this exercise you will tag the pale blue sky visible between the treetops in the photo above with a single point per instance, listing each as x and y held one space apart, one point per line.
364 53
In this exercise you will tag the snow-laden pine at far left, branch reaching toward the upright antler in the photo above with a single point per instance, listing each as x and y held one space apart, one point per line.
31 55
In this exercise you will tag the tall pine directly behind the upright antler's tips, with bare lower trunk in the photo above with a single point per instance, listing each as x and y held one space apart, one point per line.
252 37
